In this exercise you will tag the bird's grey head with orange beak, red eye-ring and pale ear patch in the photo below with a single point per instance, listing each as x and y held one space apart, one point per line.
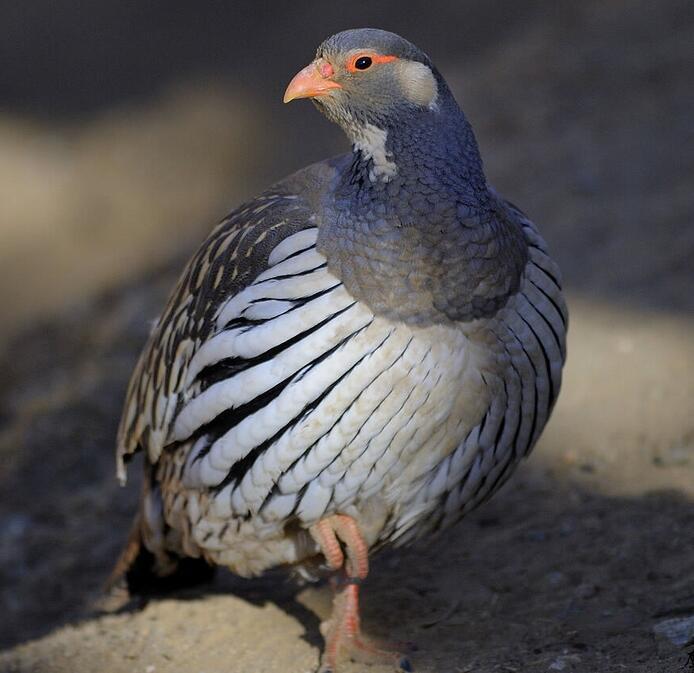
368 77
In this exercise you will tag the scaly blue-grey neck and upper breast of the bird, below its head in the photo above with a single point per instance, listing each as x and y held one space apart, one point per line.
410 223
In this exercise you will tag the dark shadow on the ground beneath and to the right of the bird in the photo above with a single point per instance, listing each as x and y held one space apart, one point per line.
535 575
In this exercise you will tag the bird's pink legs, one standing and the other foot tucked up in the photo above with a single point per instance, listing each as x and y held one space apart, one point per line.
342 632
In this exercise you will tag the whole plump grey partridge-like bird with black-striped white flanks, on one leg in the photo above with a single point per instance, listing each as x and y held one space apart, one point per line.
354 359
